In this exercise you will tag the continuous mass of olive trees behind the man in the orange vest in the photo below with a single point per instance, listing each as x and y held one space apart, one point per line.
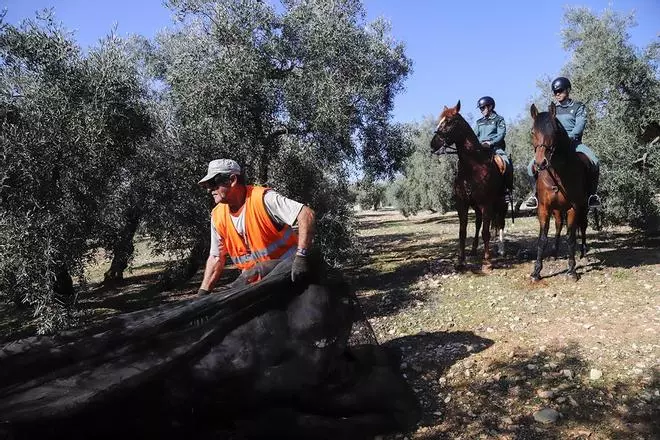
93 144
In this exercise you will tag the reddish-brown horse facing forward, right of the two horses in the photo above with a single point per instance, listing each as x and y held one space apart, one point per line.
561 186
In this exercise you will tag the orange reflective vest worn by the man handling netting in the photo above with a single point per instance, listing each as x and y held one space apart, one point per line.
263 241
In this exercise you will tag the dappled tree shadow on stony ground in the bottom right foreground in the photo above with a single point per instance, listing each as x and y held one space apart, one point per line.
498 400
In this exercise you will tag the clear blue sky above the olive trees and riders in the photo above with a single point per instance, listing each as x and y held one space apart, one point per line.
460 50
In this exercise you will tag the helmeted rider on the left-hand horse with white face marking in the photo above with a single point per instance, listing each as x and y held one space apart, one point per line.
490 130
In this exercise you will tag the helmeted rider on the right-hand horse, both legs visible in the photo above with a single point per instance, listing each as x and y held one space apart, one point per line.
573 117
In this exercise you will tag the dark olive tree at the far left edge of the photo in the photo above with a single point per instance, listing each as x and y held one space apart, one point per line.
67 122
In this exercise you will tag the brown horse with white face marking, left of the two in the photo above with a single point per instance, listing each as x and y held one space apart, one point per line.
479 184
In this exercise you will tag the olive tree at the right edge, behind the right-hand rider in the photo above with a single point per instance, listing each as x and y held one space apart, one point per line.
621 86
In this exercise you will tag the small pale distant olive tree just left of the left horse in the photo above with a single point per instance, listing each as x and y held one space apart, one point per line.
427 182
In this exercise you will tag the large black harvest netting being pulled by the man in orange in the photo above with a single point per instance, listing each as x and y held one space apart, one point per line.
295 347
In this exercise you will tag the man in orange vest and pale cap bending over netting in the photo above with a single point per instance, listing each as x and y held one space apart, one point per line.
253 224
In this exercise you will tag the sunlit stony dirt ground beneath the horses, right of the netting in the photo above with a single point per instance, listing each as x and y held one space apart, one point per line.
486 353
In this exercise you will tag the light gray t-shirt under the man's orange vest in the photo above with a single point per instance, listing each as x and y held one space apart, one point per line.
281 209
